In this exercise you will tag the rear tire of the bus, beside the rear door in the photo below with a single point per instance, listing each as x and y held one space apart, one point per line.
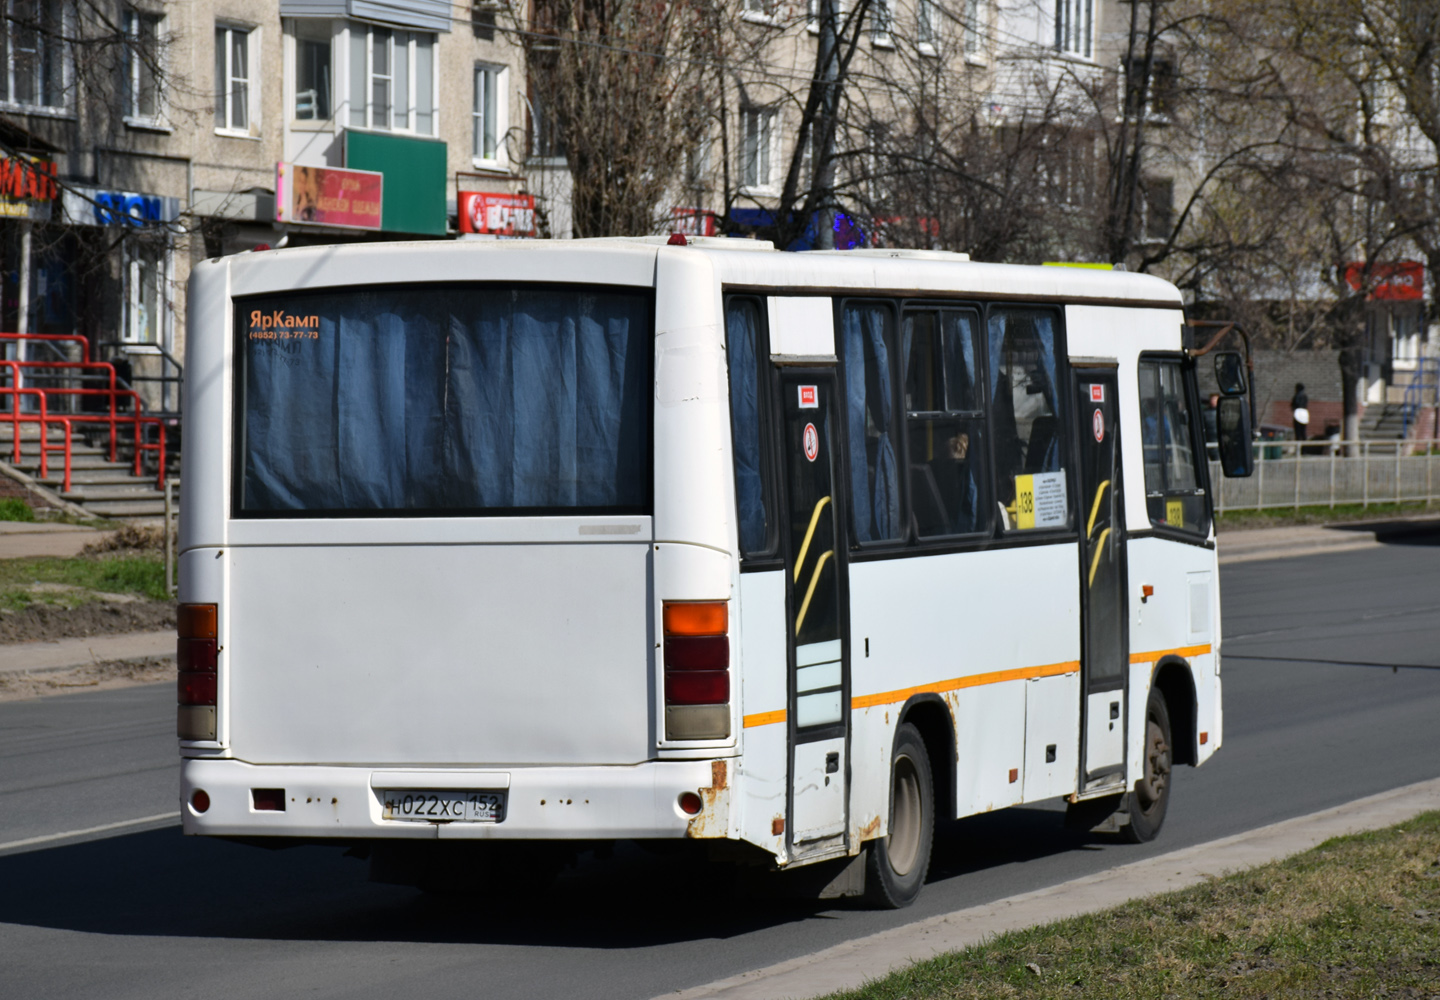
896 865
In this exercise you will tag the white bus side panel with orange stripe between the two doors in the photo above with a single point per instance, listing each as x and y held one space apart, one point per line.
961 626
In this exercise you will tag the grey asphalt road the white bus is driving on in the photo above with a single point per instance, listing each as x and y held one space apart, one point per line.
1315 715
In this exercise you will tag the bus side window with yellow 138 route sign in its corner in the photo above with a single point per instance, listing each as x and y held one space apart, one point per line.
1027 430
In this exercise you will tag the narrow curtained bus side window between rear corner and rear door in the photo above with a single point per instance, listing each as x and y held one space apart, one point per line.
747 348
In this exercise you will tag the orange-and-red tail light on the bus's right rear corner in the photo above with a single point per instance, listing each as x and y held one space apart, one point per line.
698 669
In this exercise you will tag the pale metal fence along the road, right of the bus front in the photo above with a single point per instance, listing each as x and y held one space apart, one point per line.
1313 475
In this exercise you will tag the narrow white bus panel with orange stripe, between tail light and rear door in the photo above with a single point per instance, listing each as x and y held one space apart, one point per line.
762 704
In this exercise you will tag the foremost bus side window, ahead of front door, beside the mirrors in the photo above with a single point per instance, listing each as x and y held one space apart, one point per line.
1174 495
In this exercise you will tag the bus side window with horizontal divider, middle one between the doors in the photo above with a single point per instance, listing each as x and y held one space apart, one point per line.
944 423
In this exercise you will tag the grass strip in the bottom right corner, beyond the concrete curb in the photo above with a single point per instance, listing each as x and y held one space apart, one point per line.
1357 917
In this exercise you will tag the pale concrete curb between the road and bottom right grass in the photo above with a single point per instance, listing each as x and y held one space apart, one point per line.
855 963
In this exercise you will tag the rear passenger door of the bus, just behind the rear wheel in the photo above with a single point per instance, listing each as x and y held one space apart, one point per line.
817 615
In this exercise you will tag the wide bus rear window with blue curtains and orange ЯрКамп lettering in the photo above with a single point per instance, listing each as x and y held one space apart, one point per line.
446 401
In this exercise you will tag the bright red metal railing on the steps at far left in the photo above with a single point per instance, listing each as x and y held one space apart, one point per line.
114 419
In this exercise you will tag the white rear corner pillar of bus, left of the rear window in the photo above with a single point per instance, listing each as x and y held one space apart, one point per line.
207 445
